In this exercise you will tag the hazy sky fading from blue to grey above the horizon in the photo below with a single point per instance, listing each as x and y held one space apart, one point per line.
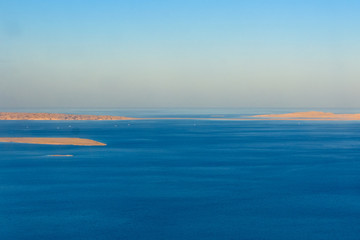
179 53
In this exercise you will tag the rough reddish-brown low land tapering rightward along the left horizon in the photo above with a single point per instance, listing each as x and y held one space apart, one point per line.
56 116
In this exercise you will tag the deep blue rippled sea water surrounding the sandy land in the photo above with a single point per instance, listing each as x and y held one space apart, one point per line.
182 179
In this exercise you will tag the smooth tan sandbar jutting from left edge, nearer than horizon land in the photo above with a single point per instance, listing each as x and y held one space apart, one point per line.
54 141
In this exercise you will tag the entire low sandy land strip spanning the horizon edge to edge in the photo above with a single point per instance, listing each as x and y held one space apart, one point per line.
299 116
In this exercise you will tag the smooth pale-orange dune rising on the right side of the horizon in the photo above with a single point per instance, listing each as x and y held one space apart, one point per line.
313 115
